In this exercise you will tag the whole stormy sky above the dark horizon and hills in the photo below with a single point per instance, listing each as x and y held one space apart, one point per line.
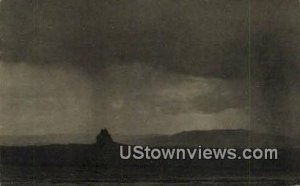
148 67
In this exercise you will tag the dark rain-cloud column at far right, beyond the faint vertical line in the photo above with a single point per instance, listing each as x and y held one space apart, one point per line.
275 66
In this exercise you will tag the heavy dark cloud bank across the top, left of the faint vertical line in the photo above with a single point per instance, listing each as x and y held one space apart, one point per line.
183 36
